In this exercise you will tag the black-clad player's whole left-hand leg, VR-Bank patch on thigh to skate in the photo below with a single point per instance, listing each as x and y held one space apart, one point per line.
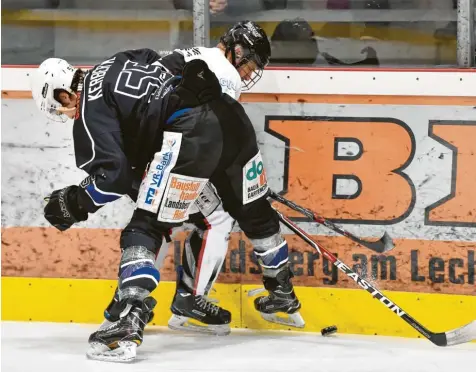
170 187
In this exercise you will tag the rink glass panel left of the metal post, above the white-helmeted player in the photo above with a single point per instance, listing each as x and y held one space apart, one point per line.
86 32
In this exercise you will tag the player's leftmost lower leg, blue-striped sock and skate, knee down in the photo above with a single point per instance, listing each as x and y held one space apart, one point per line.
131 308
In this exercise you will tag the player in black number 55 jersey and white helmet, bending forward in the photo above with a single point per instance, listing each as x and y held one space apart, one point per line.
120 108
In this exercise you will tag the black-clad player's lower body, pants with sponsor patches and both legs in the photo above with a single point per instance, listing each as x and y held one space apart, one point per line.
214 142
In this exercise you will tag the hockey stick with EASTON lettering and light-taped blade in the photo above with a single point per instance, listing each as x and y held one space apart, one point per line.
457 336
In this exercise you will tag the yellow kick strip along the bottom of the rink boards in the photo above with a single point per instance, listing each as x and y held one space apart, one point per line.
352 311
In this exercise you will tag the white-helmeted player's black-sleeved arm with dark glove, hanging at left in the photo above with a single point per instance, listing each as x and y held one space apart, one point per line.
99 151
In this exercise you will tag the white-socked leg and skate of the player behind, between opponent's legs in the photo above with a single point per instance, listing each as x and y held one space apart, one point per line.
204 252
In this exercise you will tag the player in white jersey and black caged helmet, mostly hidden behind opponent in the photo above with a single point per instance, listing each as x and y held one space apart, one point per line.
206 246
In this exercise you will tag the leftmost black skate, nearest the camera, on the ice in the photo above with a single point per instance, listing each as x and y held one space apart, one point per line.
118 342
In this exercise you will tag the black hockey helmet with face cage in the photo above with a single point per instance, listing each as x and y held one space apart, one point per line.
247 41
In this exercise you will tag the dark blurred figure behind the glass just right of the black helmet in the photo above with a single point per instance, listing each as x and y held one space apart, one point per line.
293 43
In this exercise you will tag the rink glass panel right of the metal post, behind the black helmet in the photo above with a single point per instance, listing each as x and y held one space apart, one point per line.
397 33
